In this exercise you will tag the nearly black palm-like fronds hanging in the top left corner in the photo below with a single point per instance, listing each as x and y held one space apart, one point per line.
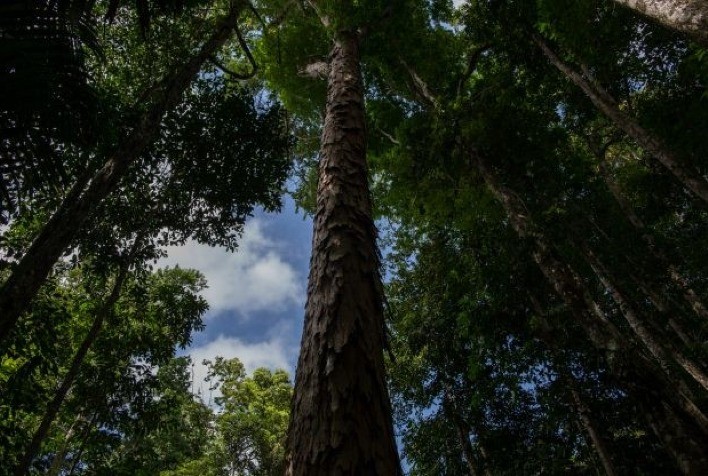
47 102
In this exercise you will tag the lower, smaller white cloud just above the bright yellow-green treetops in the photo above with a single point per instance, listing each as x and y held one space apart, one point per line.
273 354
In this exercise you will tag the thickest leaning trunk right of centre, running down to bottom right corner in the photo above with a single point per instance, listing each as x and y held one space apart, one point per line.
644 381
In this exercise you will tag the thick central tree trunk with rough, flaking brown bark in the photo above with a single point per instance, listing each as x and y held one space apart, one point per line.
341 414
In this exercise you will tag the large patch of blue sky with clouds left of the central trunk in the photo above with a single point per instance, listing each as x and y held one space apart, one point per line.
256 294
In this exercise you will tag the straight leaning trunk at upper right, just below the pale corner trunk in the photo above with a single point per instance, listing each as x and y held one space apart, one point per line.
687 175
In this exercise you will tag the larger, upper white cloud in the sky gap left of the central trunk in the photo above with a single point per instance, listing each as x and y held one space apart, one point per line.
254 278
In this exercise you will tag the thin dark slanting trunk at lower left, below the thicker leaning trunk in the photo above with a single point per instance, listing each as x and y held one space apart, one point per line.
62 391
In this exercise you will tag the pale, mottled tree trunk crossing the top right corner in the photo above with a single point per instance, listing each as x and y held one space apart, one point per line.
686 16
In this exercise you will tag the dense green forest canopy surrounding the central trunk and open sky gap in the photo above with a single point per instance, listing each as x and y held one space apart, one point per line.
538 170
